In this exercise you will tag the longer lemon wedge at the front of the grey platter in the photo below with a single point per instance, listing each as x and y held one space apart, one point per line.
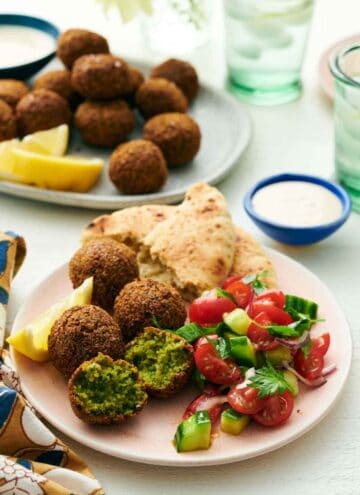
63 173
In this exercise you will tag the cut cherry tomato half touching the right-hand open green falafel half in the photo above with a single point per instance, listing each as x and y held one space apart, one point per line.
215 369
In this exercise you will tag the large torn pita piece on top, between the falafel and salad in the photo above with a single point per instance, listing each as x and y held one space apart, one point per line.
194 247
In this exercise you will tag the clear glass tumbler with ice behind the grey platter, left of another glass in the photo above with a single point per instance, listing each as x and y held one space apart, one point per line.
265 45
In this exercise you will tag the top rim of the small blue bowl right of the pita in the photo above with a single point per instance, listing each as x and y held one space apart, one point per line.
327 184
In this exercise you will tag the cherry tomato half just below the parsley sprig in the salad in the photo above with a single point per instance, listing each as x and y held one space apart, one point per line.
276 410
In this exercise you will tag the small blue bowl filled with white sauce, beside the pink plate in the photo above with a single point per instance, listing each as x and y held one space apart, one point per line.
297 209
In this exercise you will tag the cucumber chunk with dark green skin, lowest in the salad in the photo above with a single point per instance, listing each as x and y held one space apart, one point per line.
194 433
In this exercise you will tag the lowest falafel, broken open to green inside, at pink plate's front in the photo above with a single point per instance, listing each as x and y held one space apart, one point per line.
103 391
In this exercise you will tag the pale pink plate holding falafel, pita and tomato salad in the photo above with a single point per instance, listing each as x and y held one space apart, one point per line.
147 438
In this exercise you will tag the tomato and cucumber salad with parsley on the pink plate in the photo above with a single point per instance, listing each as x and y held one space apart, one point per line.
252 347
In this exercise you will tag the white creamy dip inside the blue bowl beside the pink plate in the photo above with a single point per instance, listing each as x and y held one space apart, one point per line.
297 204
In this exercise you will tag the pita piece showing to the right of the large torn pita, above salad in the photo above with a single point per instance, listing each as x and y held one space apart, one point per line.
250 258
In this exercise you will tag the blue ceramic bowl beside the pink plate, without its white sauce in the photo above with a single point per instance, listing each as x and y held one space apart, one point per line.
297 236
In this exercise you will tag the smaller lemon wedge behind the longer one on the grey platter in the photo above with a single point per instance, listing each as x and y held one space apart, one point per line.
50 142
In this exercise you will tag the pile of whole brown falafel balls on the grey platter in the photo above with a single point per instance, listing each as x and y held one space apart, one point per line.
103 90
